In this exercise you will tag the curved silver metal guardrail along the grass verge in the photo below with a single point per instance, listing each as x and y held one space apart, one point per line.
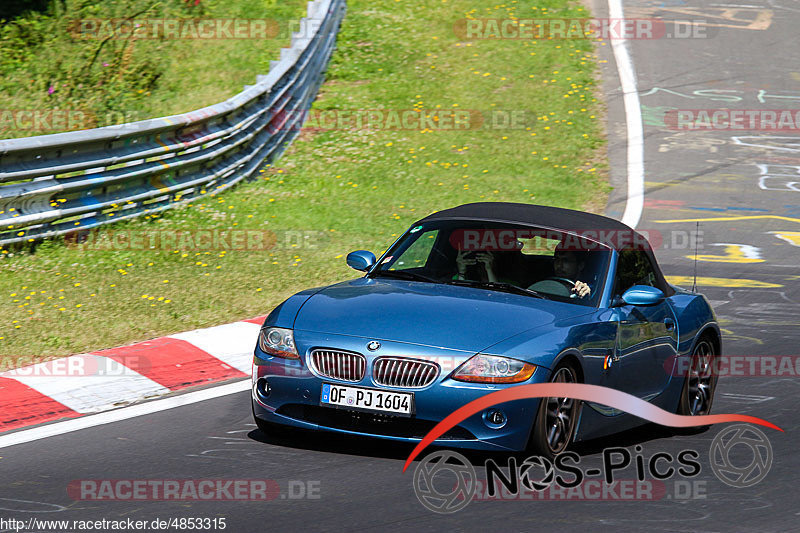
56 184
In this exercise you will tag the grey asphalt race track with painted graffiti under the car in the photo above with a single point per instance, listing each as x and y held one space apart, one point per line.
743 179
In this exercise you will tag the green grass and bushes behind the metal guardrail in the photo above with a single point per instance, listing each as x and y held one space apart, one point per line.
43 66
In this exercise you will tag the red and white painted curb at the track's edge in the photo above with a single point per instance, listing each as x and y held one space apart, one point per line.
99 381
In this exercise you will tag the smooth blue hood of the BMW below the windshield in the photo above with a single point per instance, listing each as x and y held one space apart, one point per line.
443 316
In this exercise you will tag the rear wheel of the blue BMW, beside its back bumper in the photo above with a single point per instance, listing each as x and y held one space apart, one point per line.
697 394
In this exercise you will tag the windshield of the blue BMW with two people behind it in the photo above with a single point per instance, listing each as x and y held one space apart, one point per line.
512 258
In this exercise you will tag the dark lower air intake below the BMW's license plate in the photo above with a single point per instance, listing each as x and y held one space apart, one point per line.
372 423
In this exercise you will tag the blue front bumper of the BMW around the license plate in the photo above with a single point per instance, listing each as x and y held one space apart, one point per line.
293 399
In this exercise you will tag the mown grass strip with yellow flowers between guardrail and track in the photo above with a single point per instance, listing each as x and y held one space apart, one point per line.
346 189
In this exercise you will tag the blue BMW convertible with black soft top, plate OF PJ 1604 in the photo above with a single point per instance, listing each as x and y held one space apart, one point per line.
477 298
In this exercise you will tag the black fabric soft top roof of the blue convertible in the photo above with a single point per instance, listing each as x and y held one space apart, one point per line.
555 218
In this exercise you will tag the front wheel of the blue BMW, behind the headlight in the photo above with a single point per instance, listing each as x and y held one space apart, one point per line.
556 418
